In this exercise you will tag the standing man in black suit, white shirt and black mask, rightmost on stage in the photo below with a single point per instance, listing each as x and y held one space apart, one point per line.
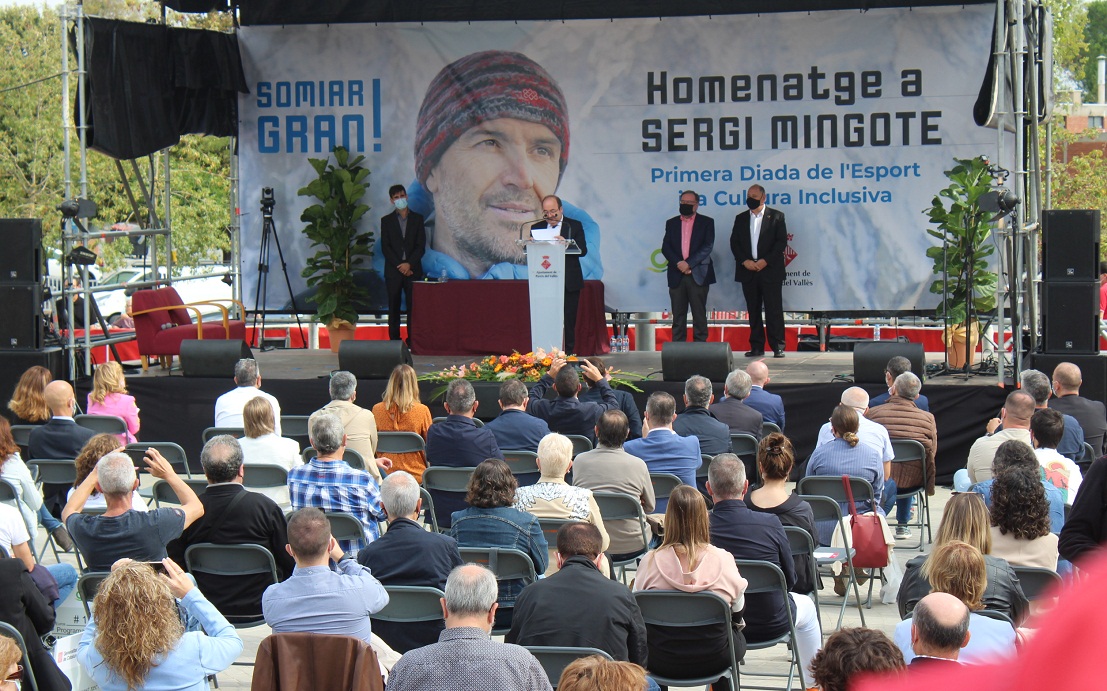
758 241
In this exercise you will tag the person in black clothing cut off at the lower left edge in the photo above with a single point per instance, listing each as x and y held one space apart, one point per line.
24 606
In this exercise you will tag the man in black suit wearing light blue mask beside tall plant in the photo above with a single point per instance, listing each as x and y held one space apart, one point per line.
404 242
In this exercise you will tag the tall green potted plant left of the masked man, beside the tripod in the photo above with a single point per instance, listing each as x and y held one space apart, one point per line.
333 229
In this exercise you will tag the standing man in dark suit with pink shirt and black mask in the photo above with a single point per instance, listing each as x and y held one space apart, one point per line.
689 241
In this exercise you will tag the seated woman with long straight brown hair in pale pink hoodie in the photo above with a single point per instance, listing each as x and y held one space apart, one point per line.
688 562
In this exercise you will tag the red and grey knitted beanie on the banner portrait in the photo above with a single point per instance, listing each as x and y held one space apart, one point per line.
482 87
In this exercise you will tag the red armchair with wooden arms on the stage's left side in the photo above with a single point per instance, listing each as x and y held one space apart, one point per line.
162 322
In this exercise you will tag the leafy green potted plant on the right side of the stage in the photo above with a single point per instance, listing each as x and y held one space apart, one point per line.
961 262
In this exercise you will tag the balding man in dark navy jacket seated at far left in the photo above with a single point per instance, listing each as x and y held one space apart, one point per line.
60 439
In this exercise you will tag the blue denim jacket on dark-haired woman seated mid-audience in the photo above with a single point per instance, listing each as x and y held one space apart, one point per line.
503 528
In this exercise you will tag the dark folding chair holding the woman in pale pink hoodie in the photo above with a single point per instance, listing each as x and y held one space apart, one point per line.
689 611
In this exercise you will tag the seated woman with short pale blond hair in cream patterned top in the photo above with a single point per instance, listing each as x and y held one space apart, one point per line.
552 498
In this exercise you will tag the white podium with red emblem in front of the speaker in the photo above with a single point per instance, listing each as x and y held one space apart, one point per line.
546 286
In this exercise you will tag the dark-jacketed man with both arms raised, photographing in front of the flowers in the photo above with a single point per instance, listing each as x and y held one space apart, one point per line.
567 414
